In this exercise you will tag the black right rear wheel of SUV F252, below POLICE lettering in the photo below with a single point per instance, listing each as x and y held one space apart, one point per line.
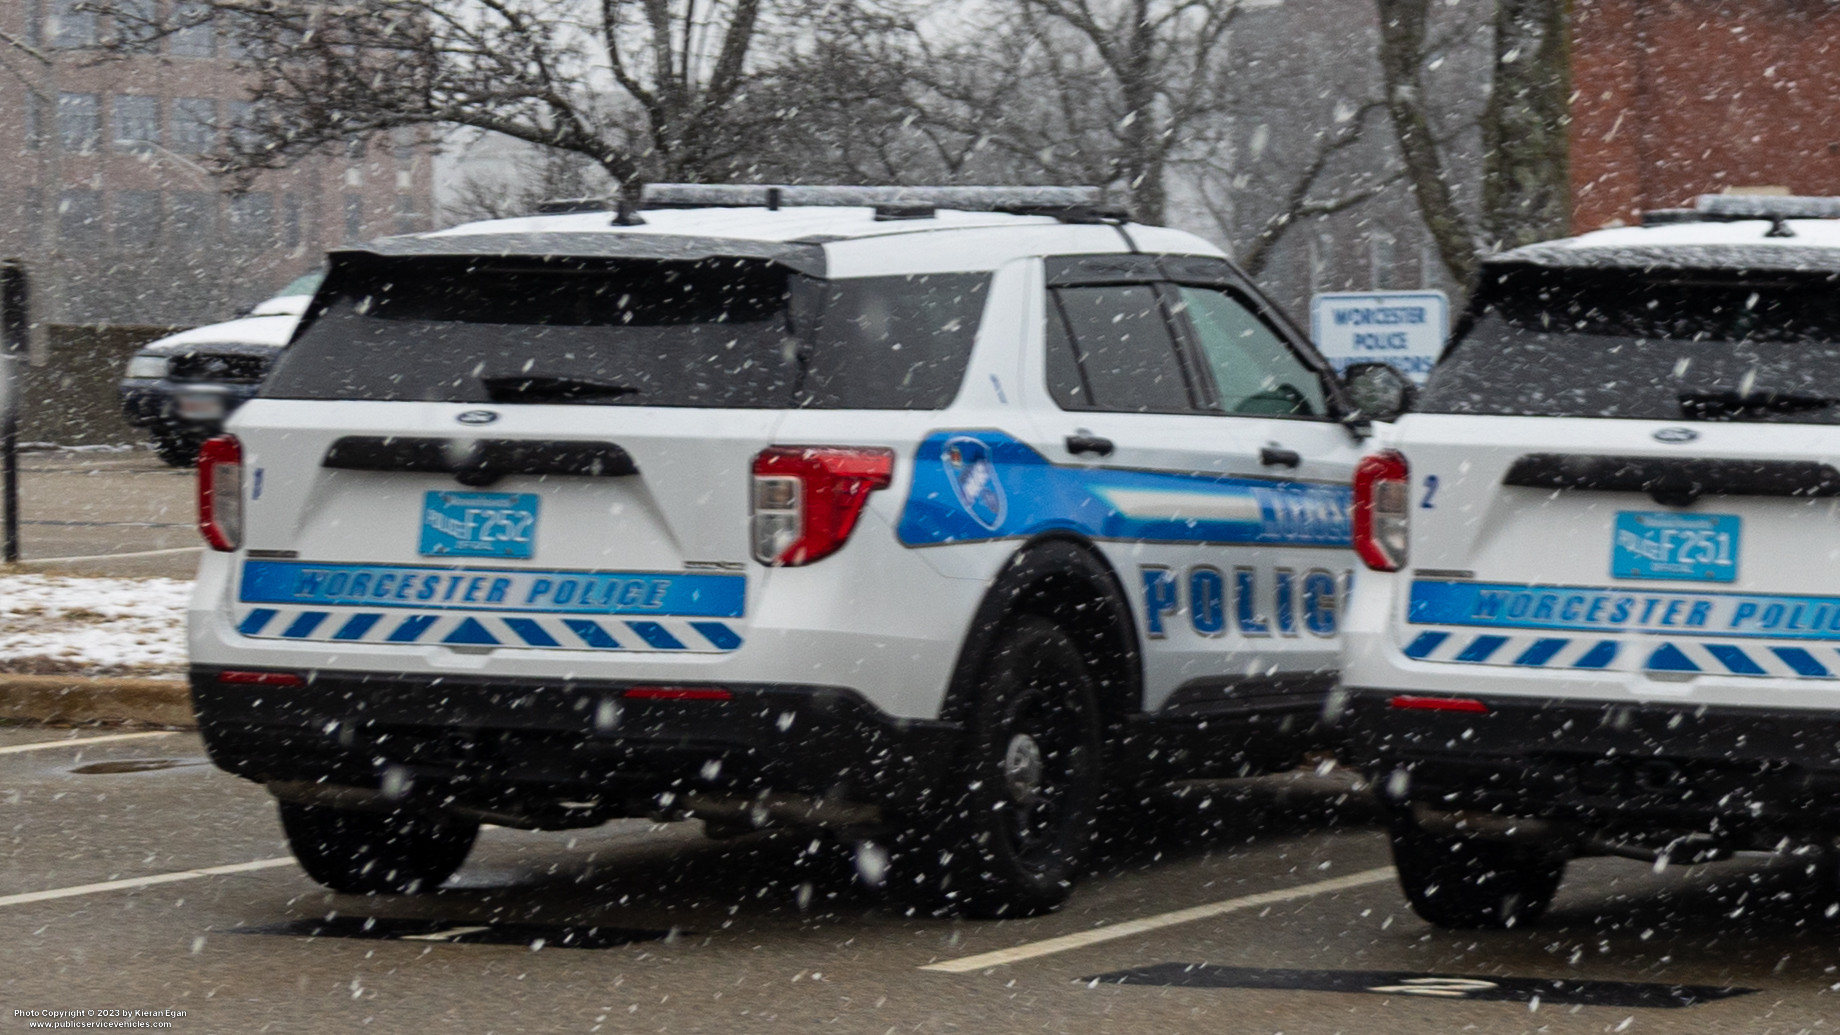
1015 826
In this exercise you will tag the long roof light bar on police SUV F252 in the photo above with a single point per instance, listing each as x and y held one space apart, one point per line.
960 198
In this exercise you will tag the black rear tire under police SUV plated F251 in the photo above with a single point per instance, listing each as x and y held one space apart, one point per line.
1464 881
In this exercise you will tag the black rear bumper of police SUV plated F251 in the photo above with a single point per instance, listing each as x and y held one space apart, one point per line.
1747 773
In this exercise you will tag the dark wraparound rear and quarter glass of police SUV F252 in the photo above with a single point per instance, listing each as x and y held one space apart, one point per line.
669 334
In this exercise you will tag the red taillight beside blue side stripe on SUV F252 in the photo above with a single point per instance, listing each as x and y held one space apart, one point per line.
807 500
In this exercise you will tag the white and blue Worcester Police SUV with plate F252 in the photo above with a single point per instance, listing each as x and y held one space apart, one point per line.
928 515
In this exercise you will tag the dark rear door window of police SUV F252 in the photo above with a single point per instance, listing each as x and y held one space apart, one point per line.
1110 349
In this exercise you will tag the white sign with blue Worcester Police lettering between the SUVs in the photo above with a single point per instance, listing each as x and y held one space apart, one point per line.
1405 329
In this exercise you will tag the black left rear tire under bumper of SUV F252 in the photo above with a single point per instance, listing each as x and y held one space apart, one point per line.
376 854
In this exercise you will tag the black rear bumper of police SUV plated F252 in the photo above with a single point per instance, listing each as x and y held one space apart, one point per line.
525 747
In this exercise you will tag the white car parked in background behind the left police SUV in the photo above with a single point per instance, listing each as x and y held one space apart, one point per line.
183 388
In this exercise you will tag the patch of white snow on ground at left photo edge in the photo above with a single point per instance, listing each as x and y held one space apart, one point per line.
95 627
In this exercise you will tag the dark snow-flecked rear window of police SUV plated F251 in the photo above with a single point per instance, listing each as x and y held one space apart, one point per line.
1646 345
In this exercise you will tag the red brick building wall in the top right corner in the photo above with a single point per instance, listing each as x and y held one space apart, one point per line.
1679 99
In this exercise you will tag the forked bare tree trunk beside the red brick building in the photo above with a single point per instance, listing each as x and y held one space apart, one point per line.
1524 130
